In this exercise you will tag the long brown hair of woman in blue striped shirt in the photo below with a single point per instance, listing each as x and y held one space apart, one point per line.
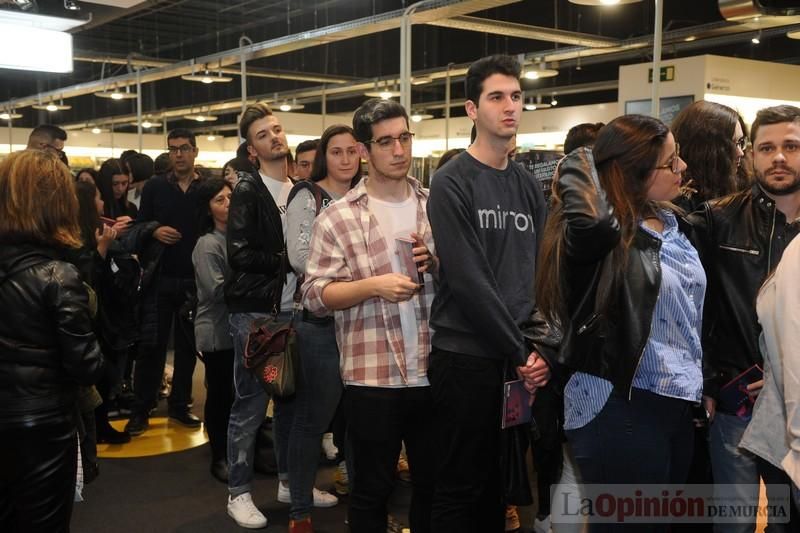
625 152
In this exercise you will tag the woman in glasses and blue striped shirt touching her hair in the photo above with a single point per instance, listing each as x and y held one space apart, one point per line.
627 288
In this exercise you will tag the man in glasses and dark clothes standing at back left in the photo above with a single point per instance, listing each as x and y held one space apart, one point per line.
169 200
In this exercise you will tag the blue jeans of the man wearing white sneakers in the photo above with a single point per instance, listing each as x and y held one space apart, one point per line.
248 411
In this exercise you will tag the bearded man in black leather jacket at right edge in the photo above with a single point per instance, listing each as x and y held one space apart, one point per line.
741 238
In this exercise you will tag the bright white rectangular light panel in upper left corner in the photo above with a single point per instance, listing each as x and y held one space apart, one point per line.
31 48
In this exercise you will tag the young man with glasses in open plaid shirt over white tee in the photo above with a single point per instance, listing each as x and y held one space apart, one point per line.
381 304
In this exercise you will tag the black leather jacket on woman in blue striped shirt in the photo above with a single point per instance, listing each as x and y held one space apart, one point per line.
604 341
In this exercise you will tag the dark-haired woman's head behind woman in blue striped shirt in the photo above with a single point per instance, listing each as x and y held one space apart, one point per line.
713 144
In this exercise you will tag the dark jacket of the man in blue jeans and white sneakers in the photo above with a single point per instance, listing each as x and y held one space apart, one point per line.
256 249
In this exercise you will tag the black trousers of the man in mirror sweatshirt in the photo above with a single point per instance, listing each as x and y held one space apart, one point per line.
467 397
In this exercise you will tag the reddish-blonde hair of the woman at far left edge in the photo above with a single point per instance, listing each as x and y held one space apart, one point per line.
37 200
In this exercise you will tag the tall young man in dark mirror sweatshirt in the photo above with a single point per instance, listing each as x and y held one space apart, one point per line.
487 215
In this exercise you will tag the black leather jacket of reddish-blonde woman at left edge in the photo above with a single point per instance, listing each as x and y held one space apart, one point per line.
47 346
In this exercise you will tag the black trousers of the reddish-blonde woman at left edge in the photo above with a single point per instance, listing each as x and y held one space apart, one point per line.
38 466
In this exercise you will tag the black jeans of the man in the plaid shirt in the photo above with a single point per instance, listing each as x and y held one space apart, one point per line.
379 420
